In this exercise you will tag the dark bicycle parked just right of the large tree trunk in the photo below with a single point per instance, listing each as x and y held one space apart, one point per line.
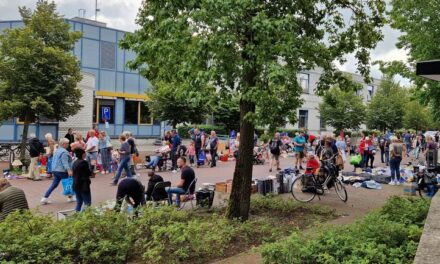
307 186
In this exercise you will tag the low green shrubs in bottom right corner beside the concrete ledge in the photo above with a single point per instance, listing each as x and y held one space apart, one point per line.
389 235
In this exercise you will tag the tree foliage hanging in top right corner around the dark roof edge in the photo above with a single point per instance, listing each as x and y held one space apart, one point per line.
417 21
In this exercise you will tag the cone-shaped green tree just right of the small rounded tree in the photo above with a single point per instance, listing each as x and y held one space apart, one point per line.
387 107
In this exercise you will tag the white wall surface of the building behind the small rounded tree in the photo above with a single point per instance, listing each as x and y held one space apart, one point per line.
312 101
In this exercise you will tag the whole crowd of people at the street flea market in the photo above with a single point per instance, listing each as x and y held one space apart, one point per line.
81 158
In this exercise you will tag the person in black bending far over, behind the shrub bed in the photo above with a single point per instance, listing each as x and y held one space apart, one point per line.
132 190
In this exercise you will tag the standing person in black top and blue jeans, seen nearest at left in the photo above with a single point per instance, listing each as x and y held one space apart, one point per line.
81 180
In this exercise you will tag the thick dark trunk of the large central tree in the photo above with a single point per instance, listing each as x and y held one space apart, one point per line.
239 201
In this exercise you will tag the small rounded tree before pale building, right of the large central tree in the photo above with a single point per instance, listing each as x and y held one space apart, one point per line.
342 109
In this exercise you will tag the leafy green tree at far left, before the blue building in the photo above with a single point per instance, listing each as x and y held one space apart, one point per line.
38 72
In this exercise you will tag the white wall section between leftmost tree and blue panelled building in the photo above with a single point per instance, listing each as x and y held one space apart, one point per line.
82 121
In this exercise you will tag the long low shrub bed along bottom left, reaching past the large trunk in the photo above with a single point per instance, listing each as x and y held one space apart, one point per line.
157 235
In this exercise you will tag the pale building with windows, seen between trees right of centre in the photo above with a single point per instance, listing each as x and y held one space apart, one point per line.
308 114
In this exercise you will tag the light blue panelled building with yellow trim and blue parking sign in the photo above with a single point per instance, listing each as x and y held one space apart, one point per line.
117 90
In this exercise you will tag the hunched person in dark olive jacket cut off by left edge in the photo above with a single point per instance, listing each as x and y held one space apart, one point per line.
11 199
